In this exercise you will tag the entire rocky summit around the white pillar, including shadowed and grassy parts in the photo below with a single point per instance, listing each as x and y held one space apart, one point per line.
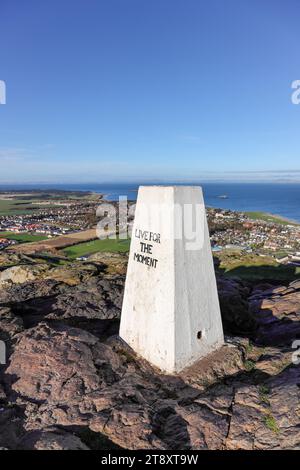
72 384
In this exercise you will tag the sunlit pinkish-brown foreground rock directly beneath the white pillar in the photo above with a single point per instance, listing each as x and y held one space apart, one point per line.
66 377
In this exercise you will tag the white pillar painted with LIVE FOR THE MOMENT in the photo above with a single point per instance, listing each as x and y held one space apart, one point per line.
171 314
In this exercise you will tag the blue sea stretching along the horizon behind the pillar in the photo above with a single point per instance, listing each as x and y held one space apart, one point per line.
278 199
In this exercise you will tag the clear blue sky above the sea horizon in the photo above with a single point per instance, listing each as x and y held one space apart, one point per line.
128 90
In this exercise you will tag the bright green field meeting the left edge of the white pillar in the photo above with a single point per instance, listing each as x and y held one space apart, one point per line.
89 248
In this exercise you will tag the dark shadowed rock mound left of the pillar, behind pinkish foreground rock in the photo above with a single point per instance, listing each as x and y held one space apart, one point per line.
94 305
